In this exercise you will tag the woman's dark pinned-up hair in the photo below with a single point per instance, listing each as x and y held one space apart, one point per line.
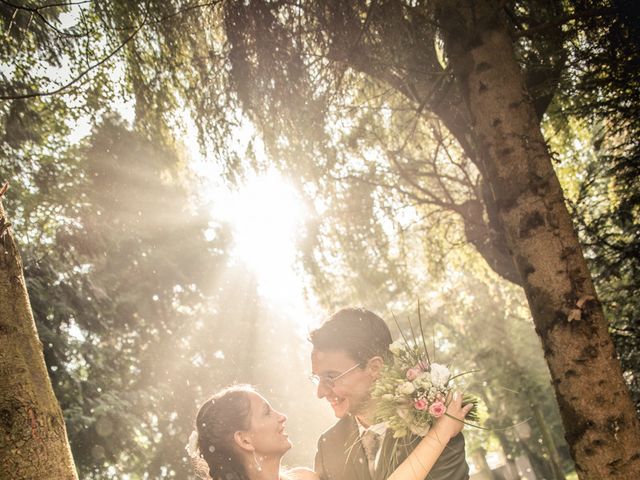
218 419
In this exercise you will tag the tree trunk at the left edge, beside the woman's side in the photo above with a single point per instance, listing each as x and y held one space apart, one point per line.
33 438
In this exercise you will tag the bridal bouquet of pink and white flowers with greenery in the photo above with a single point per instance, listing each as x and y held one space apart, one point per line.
412 392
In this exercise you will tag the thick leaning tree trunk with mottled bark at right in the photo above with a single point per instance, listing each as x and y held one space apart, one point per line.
598 415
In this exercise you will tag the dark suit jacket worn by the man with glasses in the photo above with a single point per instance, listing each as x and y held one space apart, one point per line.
340 455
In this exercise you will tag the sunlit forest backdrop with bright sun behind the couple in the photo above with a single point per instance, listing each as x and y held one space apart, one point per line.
195 185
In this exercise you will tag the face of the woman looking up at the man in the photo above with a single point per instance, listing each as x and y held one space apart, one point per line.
267 428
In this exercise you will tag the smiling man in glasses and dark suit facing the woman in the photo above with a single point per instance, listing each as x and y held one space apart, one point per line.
349 351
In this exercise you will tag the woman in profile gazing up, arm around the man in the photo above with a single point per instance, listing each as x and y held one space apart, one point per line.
239 436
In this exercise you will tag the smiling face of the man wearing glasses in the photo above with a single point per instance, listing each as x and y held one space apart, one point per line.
350 392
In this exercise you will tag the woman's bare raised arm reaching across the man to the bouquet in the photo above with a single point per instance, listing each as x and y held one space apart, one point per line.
420 461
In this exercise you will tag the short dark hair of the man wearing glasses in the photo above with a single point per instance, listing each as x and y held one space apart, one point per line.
359 332
